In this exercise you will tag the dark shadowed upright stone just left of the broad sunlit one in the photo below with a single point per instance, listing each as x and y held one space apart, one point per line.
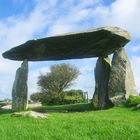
102 72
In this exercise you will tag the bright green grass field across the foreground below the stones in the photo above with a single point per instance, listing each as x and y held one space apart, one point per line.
117 123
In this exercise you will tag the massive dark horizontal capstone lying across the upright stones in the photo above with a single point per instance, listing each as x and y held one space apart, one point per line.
91 43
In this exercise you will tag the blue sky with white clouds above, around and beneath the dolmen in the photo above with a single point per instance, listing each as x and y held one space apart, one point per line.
22 20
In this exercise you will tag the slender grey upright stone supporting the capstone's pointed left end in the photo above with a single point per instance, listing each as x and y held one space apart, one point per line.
20 88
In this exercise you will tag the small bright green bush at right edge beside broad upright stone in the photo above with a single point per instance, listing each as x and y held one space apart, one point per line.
133 101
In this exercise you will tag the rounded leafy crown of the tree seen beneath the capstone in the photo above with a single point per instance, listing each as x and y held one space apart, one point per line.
58 79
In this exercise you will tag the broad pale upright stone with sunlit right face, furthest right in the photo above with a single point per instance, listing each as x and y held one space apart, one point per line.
121 83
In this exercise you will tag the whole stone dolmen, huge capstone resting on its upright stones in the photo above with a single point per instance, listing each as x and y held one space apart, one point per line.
114 81
